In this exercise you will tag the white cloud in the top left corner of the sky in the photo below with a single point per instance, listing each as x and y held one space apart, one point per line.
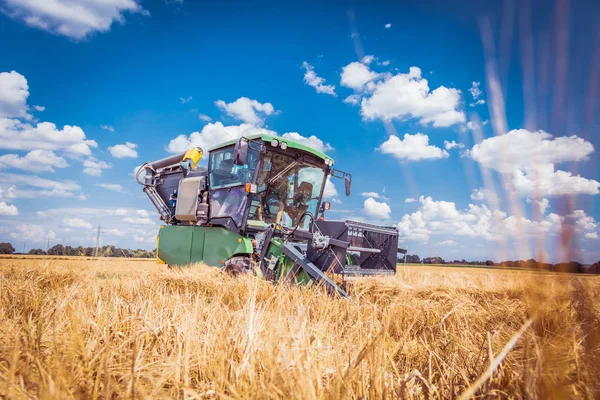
75 20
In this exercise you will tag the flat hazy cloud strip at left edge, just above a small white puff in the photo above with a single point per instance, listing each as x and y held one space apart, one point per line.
32 186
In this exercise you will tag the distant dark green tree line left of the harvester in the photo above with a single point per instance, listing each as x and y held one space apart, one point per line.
104 251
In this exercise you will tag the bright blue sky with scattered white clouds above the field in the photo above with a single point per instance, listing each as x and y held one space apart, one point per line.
473 128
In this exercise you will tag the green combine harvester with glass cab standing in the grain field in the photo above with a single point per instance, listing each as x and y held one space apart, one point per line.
257 208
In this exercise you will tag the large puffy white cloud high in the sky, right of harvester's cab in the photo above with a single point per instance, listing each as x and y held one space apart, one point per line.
403 96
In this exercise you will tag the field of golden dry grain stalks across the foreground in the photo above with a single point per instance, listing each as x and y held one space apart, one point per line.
112 329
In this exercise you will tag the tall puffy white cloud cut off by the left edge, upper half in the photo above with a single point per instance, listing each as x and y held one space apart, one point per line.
14 92
